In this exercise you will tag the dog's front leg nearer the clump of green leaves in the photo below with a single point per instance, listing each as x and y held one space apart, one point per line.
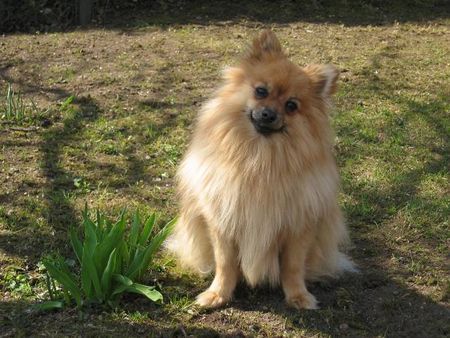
226 274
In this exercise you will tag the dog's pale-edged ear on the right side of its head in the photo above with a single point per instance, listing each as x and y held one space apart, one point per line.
323 79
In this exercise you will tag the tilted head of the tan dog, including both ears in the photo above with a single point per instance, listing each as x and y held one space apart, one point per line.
276 93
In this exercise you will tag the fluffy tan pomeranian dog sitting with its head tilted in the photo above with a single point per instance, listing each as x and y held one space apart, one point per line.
259 183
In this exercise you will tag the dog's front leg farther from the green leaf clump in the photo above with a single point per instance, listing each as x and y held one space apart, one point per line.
293 258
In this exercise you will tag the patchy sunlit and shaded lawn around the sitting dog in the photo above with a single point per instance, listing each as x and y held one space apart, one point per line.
113 111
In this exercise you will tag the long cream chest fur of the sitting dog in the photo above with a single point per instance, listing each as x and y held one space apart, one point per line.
255 199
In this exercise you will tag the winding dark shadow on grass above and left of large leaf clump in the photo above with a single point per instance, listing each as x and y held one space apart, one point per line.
27 238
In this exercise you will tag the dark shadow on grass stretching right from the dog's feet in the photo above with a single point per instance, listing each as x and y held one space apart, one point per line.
367 304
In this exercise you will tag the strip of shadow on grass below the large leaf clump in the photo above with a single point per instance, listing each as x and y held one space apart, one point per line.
19 319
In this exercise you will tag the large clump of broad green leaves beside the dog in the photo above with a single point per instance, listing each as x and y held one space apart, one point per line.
111 257
